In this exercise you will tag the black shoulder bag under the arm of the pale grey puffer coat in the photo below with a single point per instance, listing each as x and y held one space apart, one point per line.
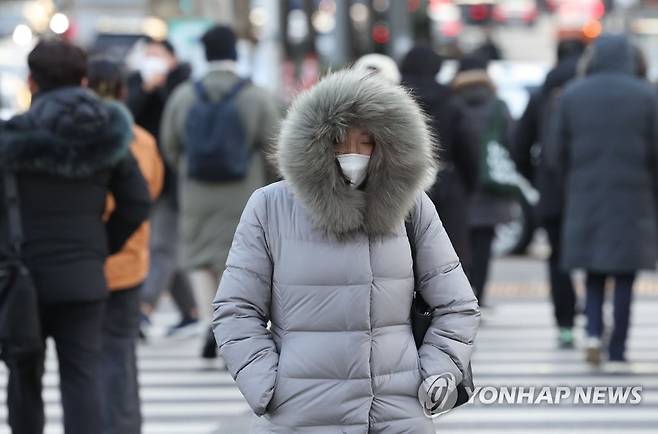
421 319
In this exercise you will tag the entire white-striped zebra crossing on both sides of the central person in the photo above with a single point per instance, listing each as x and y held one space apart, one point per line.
516 346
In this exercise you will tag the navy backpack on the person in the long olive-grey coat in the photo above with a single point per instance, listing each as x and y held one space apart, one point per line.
215 143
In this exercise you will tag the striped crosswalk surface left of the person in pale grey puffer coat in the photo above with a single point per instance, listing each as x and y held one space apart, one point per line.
181 393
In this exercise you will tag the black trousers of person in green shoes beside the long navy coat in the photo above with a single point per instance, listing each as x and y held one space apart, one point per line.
562 291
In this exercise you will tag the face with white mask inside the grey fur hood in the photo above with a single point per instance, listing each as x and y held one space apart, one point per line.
353 156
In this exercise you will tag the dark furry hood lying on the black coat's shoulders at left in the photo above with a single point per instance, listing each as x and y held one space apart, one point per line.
67 132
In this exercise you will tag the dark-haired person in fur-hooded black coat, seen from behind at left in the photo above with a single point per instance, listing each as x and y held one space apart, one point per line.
68 151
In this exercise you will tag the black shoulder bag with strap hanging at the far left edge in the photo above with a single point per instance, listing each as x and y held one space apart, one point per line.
20 327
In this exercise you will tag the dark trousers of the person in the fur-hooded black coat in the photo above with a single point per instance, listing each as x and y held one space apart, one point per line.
76 330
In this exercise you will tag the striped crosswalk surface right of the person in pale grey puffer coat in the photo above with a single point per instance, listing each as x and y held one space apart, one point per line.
517 346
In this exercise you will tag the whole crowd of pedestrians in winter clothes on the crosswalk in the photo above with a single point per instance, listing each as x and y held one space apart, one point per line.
283 240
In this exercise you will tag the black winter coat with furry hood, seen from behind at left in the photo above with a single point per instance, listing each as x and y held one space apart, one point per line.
68 151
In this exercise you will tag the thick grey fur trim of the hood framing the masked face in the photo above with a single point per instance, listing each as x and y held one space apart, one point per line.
403 162
